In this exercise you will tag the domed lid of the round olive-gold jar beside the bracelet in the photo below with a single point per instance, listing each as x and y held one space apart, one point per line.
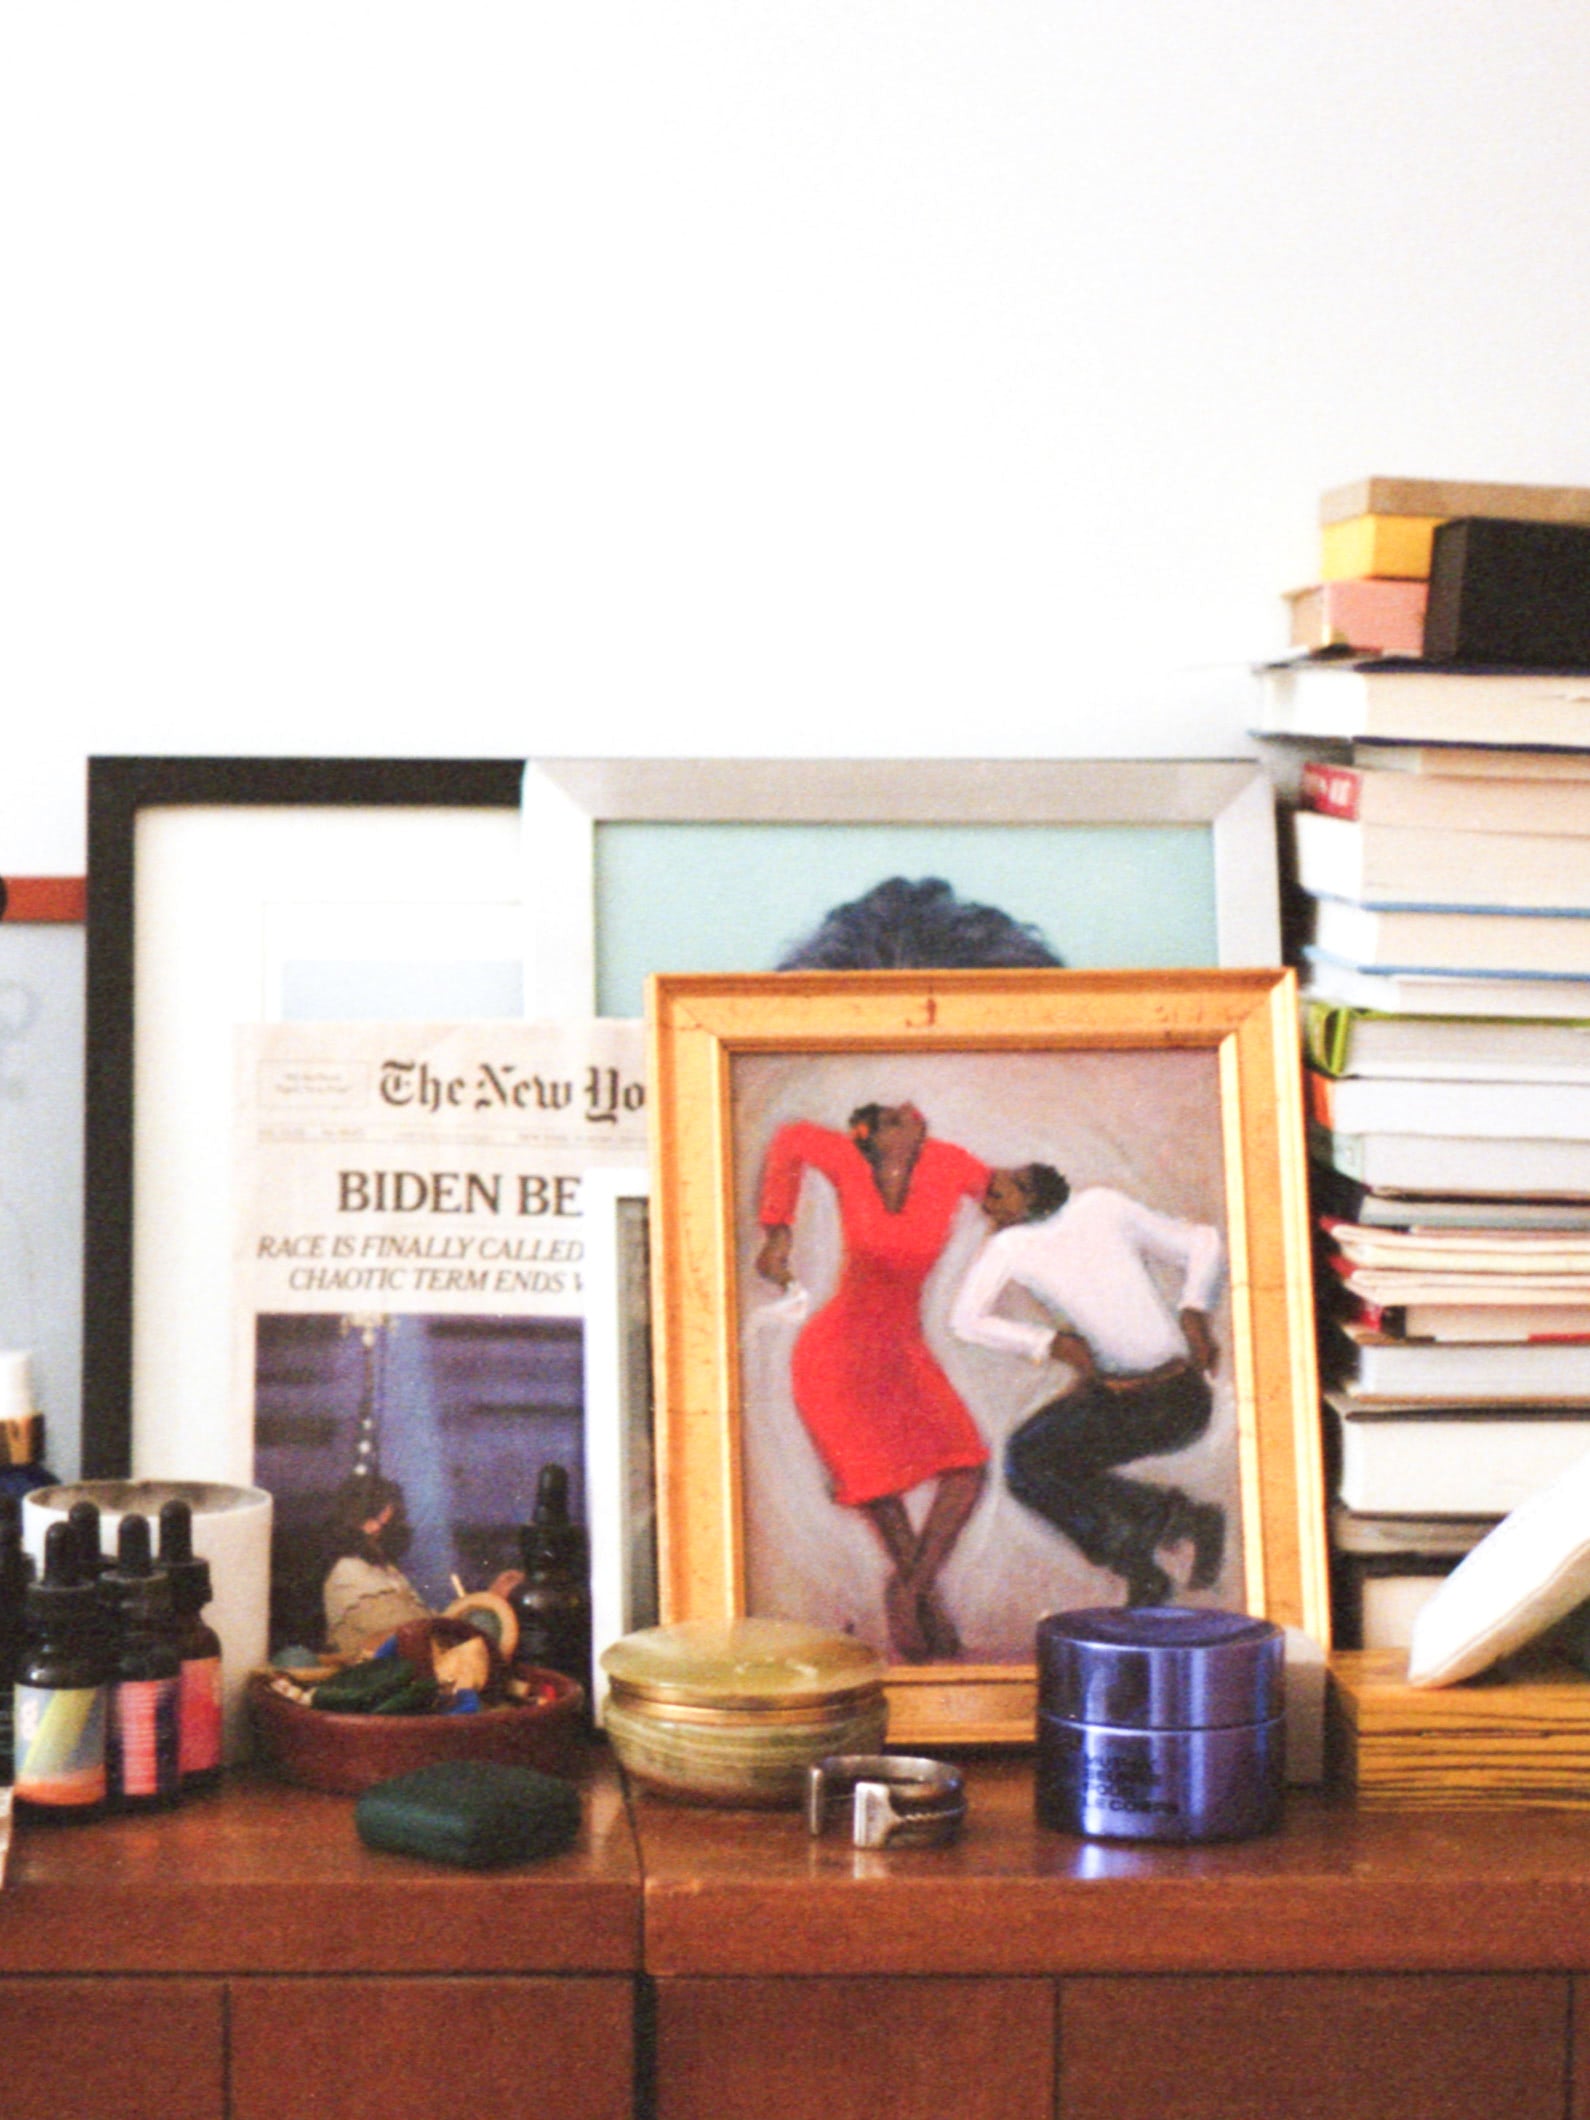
743 1665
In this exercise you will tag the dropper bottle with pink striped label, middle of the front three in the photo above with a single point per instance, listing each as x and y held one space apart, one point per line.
147 1672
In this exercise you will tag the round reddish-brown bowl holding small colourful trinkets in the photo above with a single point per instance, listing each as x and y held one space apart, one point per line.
349 1754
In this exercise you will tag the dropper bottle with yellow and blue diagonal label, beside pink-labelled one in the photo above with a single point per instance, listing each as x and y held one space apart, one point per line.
63 1689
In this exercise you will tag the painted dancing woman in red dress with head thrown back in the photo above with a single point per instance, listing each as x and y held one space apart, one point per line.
879 1409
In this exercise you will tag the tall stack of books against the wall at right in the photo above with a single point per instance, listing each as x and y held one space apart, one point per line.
1436 834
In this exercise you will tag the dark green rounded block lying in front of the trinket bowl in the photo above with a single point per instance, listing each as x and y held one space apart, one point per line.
472 1814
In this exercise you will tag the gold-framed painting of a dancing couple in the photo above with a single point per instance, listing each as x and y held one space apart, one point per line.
978 1296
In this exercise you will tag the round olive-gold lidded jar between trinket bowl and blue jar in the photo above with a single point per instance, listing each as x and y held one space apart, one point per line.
735 1712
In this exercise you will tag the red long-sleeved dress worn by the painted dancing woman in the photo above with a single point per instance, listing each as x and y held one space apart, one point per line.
877 1404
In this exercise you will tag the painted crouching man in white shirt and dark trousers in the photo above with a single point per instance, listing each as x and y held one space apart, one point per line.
1139 1371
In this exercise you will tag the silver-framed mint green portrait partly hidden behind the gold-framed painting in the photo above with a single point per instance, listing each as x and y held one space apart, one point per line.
650 866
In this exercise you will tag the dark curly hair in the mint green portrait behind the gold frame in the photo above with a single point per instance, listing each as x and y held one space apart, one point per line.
917 927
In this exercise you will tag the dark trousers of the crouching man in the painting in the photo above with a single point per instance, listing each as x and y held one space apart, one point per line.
1061 1462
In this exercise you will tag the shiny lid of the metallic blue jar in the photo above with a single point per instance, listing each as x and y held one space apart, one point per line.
1161 1667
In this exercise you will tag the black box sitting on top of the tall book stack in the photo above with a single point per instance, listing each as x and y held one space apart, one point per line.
1506 593
